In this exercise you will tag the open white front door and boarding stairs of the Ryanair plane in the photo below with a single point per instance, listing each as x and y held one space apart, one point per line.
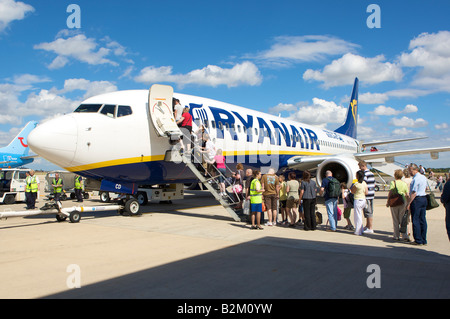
160 113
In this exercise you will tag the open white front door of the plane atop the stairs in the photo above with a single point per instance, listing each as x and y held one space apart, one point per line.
160 111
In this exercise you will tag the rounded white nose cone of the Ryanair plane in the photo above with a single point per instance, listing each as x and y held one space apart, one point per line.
55 140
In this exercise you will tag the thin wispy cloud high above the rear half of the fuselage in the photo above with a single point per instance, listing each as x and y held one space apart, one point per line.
289 49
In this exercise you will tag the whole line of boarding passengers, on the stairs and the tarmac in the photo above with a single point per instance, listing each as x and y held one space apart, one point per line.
406 199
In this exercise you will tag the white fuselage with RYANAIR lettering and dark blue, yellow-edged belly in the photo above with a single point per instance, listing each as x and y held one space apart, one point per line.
127 149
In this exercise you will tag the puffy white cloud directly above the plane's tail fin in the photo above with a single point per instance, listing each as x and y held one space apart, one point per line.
344 70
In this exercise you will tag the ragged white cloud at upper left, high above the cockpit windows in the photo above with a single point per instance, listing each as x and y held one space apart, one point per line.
80 48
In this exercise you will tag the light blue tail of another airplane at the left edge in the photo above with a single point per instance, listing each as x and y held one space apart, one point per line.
16 153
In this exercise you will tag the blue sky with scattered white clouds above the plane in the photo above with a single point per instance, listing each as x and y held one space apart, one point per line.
294 58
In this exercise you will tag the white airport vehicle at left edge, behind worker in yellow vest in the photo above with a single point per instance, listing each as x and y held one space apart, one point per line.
12 185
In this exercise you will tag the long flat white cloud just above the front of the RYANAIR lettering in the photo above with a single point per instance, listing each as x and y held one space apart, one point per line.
245 73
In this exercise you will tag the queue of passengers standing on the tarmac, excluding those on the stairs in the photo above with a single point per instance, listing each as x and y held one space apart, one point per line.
297 201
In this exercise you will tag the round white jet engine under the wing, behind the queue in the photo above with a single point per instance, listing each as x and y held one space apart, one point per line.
343 168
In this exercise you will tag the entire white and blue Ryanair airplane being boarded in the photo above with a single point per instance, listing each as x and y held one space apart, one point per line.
127 139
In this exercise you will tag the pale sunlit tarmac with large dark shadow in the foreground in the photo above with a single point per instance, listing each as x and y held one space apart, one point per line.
192 249
